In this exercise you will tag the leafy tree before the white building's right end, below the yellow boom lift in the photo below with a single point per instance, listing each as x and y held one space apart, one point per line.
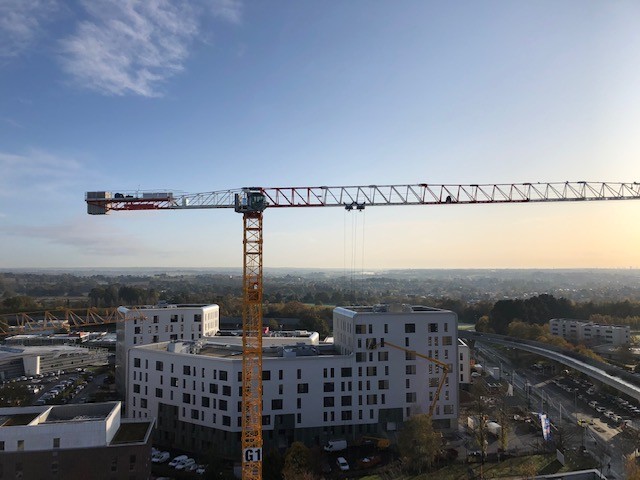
419 444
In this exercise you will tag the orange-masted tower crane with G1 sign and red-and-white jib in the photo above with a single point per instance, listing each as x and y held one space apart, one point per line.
251 203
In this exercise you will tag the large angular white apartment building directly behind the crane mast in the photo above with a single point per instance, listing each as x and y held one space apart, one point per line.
311 391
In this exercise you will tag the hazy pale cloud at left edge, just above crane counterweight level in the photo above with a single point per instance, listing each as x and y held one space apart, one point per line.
38 171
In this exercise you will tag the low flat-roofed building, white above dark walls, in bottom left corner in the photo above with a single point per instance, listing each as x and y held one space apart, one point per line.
73 442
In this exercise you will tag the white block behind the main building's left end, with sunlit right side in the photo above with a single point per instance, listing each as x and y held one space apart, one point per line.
161 323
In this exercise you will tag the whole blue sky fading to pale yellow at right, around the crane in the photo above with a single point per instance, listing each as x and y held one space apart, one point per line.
195 96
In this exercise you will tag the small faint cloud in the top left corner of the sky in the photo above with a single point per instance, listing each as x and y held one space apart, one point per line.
21 23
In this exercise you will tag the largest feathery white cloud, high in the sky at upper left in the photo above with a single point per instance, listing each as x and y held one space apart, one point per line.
130 47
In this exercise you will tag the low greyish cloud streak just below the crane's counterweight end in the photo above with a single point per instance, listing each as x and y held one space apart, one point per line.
96 240
